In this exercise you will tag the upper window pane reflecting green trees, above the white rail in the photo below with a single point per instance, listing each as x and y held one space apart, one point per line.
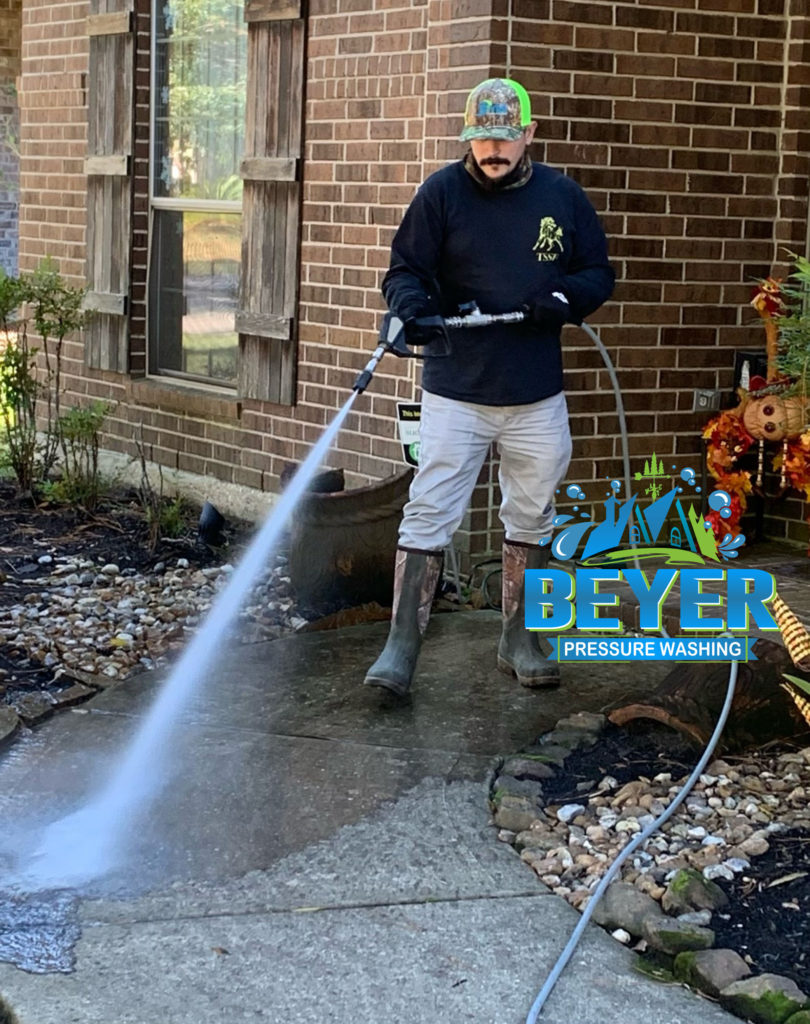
200 60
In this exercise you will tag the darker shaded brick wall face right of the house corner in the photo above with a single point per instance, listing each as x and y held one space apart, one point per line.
669 114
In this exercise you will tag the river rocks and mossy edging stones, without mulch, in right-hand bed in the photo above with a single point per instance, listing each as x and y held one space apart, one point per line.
570 851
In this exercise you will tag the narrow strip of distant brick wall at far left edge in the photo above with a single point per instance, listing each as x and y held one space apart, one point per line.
11 18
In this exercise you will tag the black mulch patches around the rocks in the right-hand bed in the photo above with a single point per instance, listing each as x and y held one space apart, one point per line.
769 918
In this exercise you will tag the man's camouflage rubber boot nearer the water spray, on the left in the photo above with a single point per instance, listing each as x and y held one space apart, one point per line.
416 576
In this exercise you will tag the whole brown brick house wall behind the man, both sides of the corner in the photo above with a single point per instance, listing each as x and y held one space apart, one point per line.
684 120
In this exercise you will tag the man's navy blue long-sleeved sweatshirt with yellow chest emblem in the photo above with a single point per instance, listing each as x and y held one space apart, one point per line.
459 242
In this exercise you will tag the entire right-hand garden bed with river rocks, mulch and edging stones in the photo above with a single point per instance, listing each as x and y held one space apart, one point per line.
718 899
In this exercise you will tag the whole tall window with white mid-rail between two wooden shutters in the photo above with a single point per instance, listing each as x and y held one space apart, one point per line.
198 130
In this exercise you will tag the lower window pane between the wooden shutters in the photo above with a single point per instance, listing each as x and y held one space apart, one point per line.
195 285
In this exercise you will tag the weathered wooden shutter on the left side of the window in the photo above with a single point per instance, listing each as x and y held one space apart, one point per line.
109 169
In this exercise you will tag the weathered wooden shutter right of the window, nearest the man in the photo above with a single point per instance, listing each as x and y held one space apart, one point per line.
272 200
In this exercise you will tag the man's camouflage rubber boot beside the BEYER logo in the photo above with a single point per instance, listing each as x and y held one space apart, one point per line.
519 652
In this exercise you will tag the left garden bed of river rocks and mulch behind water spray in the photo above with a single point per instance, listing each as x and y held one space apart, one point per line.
86 603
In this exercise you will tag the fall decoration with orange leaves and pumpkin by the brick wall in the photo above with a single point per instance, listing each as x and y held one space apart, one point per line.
773 410
